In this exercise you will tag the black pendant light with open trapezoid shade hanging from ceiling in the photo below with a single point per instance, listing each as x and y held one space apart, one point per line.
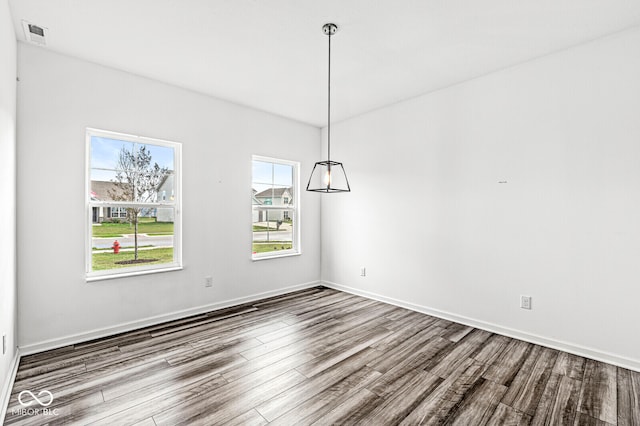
328 176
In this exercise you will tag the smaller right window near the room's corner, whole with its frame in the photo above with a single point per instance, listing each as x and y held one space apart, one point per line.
276 220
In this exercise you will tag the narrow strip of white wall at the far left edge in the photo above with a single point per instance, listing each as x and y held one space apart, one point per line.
8 301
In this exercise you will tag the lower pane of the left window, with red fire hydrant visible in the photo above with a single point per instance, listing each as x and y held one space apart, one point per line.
155 245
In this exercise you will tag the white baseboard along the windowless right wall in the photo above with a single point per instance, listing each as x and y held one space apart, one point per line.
583 351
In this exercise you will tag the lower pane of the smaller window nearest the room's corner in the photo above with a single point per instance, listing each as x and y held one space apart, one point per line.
272 230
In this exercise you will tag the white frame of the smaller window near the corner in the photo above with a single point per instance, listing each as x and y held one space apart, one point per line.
296 248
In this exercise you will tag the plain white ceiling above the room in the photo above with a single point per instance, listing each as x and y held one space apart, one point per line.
272 54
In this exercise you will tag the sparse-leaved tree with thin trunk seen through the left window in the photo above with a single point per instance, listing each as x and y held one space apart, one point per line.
137 181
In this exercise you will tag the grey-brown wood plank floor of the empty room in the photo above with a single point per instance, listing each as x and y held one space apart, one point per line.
319 356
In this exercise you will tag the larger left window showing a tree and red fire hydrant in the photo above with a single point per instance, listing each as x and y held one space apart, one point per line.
132 227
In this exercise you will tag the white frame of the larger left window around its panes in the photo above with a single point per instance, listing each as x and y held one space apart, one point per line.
175 204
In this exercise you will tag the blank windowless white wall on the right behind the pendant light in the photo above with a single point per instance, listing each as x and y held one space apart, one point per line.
435 229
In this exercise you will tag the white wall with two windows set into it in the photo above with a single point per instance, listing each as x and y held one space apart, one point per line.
58 98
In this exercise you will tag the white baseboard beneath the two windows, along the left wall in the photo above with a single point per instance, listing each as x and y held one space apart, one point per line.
158 319
